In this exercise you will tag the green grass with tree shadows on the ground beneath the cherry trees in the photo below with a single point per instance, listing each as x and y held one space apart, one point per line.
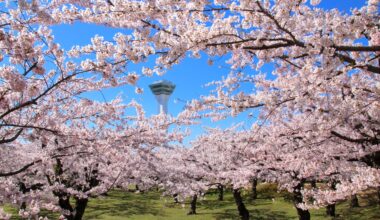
120 205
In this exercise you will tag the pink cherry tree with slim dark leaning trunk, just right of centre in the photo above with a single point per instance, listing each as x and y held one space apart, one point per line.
222 153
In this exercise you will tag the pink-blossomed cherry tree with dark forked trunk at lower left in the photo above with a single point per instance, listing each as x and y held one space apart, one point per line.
91 158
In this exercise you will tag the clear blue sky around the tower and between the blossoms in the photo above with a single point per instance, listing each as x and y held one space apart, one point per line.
190 76
